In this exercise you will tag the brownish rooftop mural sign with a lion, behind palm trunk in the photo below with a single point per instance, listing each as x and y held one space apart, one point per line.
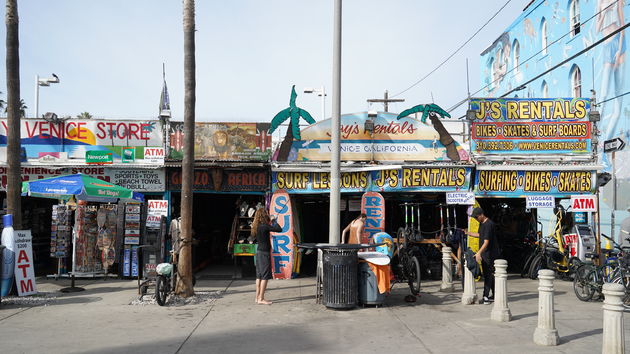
223 141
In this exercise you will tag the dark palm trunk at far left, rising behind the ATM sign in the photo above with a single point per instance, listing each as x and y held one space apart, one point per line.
14 181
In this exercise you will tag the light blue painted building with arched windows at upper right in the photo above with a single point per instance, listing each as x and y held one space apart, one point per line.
550 35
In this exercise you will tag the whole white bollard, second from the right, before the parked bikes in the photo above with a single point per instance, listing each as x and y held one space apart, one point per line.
546 333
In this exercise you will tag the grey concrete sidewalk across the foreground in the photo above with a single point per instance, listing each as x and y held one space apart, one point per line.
100 320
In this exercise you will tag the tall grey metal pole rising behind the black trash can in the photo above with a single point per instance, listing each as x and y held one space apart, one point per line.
335 197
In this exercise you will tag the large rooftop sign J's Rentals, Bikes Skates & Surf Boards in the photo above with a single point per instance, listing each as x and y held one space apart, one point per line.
531 126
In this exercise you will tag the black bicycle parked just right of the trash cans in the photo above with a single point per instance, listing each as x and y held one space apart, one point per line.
408 267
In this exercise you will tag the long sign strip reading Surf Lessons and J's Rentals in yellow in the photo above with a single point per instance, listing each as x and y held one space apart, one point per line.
410 179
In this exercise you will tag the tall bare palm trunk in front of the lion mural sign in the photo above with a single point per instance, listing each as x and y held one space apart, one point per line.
184 283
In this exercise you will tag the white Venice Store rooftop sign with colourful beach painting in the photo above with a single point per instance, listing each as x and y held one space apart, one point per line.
76 136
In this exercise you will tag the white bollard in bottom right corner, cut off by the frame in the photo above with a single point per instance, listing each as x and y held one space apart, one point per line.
613 336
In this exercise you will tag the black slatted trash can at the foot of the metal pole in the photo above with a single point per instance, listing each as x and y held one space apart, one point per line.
340 278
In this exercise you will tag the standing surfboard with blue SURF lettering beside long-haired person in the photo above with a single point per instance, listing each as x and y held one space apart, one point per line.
282 245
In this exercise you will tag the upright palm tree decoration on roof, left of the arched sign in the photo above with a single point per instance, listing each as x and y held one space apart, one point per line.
294 112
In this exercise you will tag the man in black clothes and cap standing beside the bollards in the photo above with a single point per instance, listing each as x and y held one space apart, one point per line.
488 252
